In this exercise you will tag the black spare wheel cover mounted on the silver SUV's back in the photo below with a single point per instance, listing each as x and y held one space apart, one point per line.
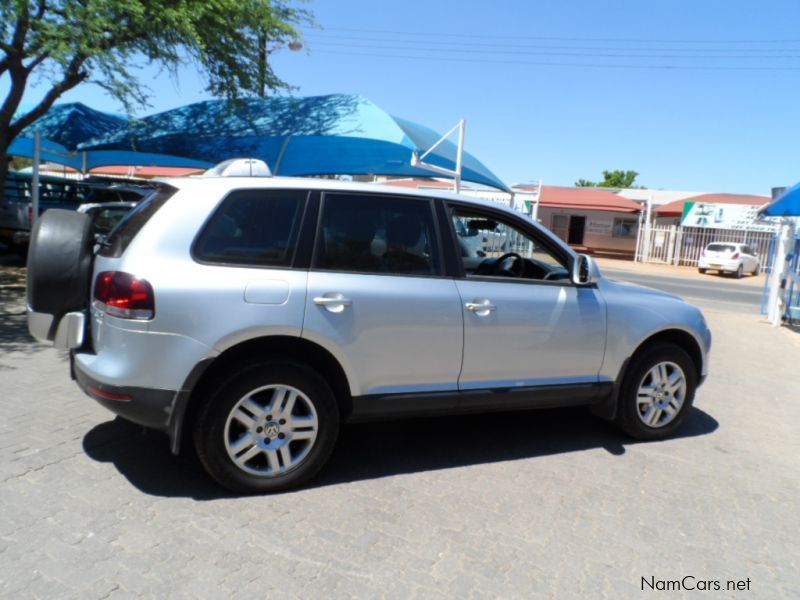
60 264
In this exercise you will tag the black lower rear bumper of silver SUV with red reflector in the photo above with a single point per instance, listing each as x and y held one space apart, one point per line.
148 407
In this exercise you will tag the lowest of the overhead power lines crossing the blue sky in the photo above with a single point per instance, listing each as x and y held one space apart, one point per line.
565 64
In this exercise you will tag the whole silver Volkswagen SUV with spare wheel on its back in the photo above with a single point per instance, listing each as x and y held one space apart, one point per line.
252 316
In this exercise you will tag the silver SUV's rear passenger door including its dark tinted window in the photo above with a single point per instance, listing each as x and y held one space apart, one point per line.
378 298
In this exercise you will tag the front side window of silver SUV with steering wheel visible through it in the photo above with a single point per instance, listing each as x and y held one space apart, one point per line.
492 247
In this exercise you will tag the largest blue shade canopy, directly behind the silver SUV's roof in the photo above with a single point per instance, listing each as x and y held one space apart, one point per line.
318 135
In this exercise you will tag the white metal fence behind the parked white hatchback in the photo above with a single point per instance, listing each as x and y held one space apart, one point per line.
677 245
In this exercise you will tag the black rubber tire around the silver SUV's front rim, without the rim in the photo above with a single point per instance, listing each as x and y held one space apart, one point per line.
628 418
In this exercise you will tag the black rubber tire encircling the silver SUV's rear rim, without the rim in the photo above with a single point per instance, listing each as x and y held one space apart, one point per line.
209 428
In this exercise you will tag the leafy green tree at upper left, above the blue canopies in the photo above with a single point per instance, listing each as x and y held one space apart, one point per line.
64 43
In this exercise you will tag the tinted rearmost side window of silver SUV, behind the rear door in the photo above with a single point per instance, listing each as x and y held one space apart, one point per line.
253 227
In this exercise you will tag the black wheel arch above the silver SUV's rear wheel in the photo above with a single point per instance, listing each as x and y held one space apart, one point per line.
277 346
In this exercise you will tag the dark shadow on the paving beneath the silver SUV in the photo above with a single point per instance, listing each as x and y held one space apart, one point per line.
375 450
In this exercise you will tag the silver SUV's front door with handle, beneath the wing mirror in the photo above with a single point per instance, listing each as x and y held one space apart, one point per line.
525 323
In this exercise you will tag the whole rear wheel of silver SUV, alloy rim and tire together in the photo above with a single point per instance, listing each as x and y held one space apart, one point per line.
267 428
